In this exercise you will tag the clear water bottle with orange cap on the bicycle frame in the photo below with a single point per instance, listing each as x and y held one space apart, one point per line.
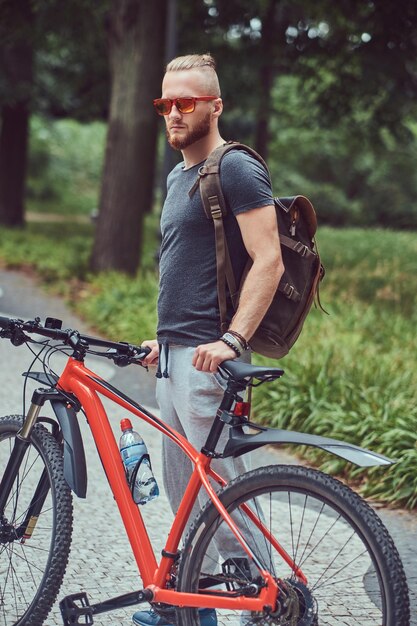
137 464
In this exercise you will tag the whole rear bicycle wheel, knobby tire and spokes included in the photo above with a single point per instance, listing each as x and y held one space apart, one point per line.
354 572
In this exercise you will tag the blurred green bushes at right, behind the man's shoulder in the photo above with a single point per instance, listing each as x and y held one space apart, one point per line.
352 181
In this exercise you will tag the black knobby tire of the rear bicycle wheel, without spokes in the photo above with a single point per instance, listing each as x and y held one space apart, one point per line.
373 531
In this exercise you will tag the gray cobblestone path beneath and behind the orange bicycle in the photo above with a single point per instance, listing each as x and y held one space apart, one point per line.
100 561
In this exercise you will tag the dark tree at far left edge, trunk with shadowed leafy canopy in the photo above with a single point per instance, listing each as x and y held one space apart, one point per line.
51 61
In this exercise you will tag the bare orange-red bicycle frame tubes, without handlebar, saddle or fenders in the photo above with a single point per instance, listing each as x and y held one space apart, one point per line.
86 386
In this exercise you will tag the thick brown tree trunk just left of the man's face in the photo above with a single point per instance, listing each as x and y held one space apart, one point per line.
136 63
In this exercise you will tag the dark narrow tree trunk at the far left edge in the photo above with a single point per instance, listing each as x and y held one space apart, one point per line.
16 66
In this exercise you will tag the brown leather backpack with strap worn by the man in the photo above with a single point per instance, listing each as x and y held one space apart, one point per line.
297 224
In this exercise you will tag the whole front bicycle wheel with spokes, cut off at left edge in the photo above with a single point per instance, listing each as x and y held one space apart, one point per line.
31 572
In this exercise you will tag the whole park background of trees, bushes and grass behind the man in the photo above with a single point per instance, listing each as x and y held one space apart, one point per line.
325 91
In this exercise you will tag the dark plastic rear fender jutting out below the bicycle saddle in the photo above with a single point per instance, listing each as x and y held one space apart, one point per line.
240 442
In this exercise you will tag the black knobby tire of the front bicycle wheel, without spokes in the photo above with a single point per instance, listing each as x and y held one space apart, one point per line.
57 564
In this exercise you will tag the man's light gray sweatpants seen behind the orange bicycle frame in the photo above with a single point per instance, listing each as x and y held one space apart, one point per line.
188 401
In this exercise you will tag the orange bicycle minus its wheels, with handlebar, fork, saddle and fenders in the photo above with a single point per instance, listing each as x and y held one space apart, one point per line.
79 387
